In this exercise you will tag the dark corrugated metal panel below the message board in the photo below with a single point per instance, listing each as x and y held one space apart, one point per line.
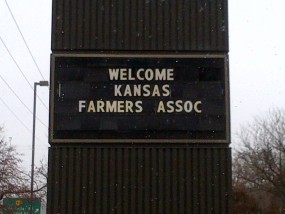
146 179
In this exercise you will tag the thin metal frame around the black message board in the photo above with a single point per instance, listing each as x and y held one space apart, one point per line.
123 140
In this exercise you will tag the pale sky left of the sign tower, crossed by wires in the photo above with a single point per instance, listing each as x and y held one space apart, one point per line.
34 20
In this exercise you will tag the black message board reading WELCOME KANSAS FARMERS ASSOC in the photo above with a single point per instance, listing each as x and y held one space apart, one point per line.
139 98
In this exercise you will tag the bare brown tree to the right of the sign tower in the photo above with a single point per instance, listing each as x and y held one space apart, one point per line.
260 162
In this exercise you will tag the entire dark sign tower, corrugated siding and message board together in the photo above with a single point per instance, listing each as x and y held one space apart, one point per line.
139 107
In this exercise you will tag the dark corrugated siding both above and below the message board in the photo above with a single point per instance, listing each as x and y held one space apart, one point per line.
139 178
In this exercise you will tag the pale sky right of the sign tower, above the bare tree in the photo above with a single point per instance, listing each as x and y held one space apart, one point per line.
257 53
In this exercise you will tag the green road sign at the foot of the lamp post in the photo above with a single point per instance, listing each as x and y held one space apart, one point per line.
20 206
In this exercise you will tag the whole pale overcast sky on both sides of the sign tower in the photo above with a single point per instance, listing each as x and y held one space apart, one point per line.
257 66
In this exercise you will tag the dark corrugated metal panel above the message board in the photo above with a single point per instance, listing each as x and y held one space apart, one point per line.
186 25
